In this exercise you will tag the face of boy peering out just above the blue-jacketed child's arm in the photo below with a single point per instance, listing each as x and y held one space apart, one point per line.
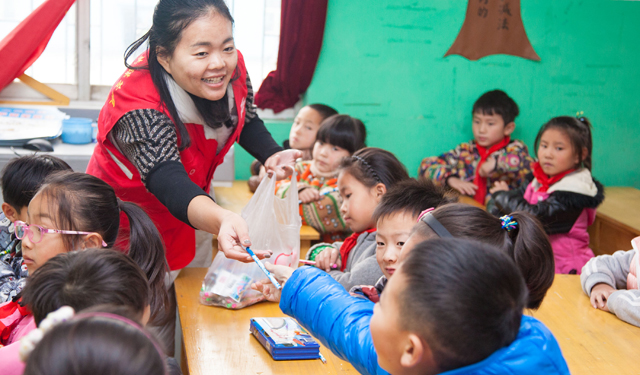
393 232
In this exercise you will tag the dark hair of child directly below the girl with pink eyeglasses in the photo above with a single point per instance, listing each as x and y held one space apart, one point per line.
82 279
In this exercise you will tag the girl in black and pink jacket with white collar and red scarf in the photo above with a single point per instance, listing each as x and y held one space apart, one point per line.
561 193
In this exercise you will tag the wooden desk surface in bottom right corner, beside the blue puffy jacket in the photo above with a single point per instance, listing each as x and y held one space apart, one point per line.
592 341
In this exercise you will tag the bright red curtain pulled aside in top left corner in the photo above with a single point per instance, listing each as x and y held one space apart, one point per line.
25 43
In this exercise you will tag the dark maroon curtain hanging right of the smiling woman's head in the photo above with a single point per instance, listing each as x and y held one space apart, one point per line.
301 31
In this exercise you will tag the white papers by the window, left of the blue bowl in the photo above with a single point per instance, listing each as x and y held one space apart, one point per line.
23 123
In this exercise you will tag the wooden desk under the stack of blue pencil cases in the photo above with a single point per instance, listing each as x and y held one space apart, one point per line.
217 341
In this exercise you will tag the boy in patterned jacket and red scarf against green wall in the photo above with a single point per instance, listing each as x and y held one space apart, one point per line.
492 156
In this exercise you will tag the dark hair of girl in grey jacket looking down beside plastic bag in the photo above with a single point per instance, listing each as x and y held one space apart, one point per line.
373 165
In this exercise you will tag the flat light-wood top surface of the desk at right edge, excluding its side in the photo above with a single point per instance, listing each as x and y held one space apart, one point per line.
622 204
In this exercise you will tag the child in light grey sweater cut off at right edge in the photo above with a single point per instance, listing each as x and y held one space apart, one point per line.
611 282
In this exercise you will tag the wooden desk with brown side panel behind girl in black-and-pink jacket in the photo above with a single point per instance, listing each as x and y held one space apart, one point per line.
617 220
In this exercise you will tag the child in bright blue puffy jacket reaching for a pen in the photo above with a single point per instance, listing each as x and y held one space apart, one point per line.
454 306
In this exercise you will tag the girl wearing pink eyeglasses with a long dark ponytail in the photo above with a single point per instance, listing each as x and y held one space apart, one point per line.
73 212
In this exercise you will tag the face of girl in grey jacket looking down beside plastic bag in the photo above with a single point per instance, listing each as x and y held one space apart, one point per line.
358 202
